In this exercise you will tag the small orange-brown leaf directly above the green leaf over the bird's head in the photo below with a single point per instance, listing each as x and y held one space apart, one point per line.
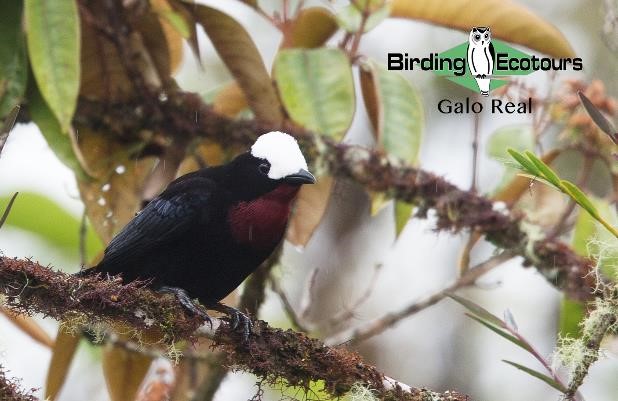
312 27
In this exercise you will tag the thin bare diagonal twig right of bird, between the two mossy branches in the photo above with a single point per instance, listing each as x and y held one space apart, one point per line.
389 320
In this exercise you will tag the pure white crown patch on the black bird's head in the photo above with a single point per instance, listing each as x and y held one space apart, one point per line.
281 151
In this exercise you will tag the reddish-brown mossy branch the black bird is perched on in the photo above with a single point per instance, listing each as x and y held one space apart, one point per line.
274 355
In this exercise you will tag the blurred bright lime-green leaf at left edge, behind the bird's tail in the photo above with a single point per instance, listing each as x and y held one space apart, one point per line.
41 216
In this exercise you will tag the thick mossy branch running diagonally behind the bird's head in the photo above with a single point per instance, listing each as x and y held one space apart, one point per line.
185 116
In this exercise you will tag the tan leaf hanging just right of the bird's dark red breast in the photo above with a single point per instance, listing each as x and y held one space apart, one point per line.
311 204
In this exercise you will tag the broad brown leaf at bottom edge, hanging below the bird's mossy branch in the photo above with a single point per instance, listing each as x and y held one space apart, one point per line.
124 372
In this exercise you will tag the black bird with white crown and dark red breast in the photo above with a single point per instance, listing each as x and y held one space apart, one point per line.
209 229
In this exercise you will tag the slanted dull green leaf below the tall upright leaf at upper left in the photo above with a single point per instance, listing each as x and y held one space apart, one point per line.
57 140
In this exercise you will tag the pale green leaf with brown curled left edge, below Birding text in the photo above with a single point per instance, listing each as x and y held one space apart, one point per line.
395 111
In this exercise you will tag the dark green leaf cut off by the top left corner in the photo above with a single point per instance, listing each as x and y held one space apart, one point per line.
13 60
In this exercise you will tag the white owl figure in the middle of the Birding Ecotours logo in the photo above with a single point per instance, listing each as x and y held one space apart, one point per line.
481 57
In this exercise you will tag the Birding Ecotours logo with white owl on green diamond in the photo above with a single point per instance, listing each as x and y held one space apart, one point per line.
481 64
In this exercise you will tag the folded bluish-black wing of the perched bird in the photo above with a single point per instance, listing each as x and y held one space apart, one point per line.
165 218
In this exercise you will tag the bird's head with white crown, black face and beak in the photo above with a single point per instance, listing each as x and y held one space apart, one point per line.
274 161
